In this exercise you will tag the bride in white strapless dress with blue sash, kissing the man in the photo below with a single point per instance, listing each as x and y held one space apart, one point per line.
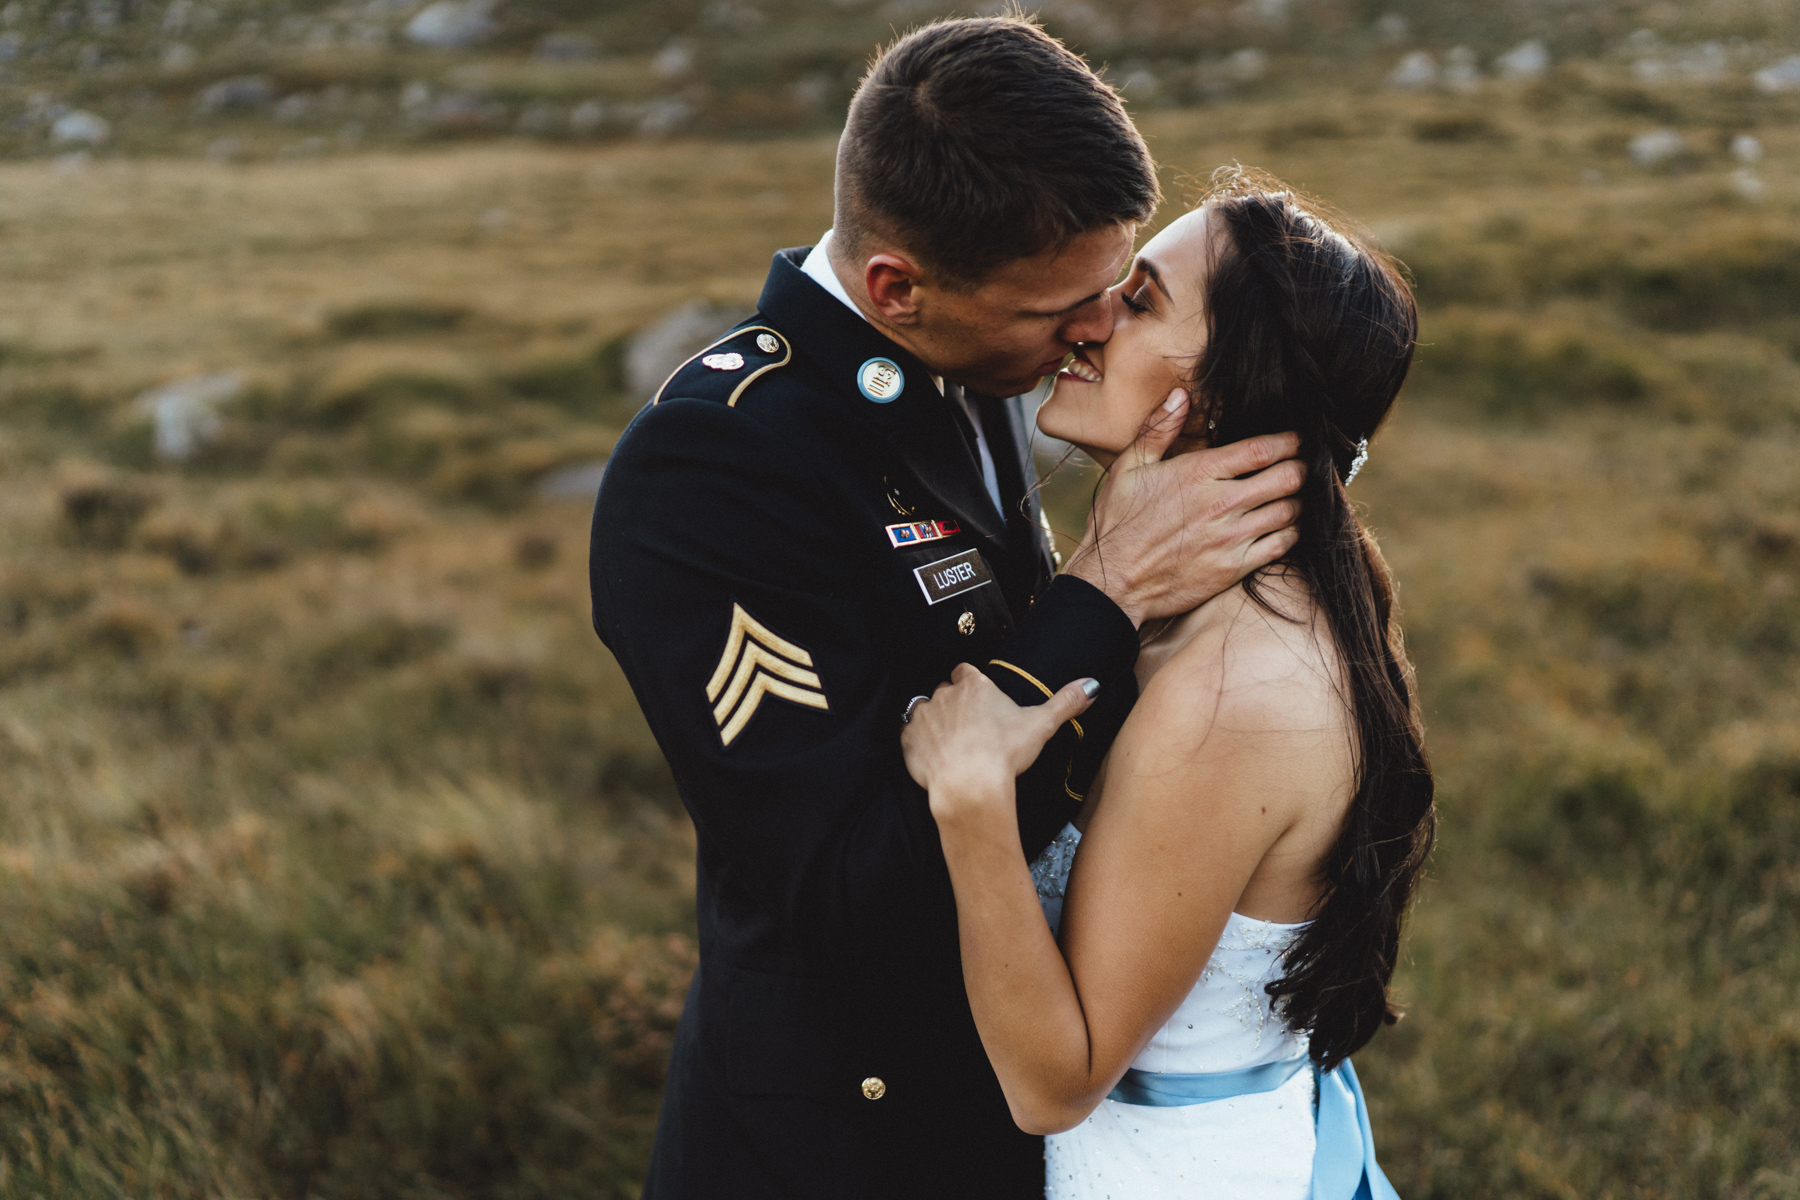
1250 846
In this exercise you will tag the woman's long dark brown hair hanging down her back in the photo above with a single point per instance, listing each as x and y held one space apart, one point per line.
1313 330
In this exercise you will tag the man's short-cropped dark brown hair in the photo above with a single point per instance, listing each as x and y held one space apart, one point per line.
980 141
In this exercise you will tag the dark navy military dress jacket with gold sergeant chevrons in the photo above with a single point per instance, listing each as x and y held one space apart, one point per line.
789 544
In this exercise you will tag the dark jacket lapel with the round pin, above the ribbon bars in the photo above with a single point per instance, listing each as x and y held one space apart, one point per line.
919 424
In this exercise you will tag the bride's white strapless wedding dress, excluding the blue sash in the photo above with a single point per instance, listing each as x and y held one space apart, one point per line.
1254 1147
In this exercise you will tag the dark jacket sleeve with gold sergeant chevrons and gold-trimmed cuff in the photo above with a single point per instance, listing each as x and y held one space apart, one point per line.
717 580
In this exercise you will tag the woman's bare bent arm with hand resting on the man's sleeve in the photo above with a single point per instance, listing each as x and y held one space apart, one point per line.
1214 775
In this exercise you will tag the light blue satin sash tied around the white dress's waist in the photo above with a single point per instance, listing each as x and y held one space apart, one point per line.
1344 1161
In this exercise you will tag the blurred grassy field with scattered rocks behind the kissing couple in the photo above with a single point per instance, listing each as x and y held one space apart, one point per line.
336 859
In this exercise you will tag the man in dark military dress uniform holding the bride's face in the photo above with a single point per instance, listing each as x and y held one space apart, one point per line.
814 521
